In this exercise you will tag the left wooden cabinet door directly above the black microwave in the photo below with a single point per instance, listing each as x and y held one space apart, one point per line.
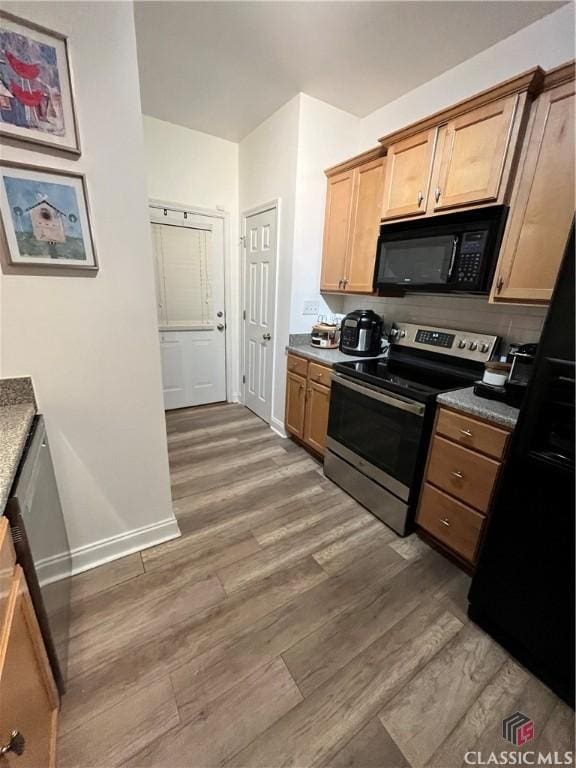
408 171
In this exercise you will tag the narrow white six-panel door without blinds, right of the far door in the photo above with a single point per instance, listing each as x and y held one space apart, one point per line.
259 298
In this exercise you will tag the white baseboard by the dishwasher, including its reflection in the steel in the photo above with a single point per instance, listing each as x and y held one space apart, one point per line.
104 551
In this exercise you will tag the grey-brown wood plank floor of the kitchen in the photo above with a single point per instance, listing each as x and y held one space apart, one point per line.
286 627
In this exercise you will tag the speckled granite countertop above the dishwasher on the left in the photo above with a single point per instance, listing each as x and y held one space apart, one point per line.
17 411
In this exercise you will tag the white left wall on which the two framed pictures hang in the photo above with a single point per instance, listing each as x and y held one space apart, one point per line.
90 343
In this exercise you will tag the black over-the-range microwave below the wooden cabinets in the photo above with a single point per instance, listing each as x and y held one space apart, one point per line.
455 252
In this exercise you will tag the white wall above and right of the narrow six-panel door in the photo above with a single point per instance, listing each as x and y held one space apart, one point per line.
268 159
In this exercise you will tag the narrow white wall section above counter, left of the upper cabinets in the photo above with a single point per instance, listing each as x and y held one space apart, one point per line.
326 135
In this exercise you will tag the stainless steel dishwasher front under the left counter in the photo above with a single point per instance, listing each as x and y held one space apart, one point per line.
42 548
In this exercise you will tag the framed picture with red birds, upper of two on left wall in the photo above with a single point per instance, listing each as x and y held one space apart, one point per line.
36 99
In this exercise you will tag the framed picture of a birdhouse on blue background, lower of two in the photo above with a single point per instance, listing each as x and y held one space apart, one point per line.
45 217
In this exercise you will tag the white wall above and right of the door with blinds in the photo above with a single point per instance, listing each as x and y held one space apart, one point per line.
199 170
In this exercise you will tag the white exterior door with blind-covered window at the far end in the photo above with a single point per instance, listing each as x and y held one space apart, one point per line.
189 268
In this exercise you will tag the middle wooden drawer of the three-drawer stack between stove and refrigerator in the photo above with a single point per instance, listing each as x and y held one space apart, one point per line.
462 473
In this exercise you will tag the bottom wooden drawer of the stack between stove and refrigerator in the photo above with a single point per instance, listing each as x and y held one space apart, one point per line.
449 521
